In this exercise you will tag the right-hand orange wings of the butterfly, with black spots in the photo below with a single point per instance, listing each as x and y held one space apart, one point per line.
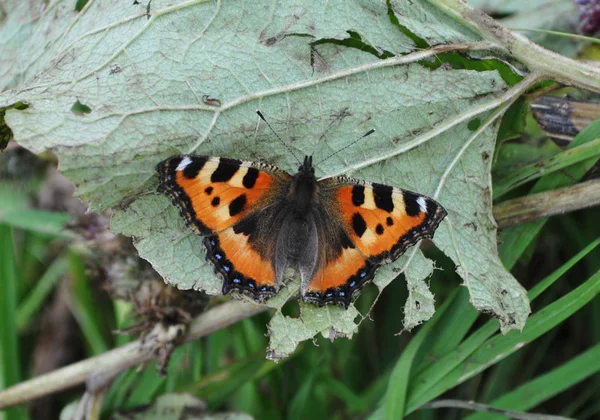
377 224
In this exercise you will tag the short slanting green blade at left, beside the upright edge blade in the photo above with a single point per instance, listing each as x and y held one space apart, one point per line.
34 300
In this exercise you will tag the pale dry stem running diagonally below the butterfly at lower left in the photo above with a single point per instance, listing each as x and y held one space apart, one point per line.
122 357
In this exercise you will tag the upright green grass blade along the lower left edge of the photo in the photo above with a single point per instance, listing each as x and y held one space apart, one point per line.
9 346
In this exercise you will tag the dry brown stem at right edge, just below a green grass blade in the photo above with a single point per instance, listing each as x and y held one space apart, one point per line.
548 203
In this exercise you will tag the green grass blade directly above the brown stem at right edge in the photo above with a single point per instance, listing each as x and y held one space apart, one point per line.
547 166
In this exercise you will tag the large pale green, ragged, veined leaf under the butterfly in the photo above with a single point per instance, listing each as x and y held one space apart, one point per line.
186 77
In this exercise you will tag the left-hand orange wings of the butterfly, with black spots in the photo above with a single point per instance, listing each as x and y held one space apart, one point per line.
218 197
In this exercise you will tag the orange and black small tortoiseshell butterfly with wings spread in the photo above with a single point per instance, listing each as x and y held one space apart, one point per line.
259 220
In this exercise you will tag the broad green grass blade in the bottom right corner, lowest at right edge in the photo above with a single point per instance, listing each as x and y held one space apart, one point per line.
540 389
